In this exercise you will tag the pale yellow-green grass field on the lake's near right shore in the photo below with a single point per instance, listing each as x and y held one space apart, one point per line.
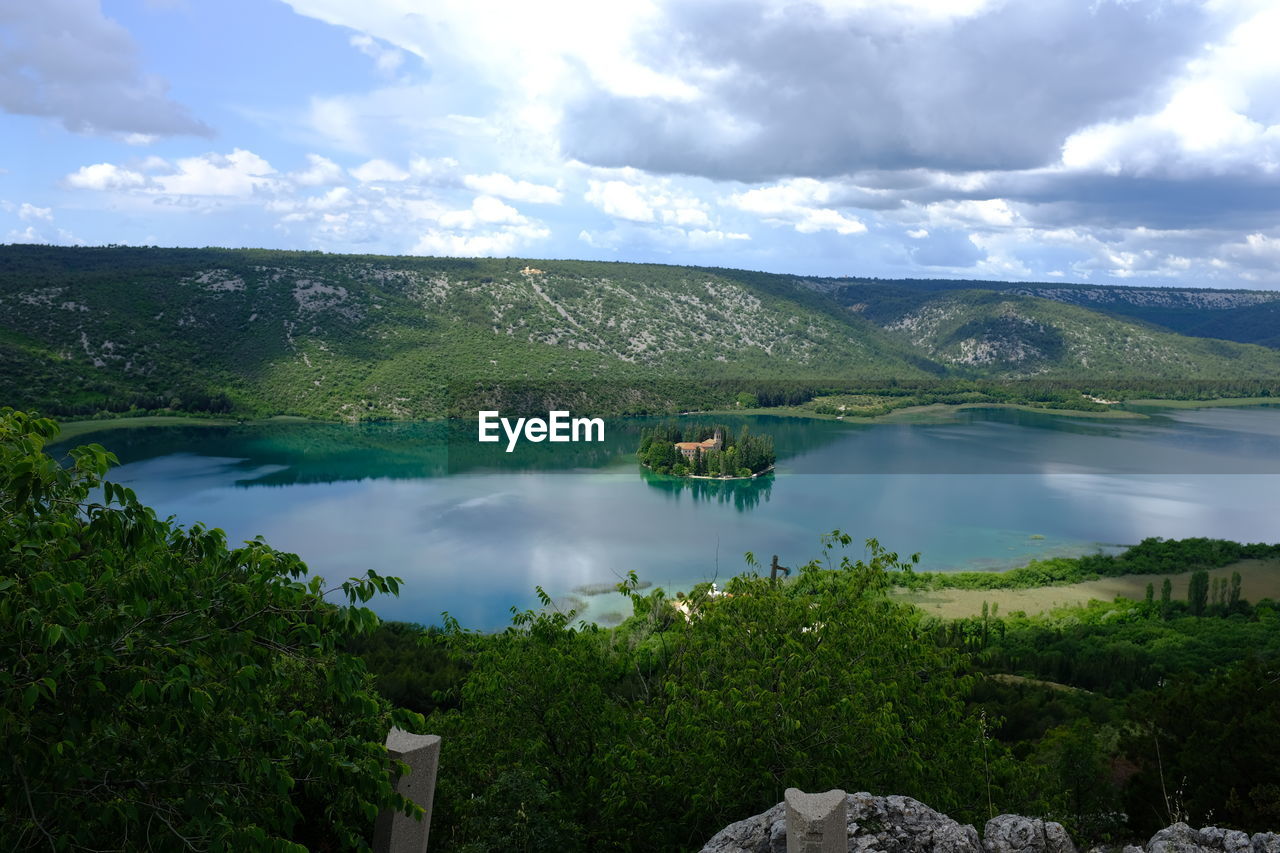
1260 580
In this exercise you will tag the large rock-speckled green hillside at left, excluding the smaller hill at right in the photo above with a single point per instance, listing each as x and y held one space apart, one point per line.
358 336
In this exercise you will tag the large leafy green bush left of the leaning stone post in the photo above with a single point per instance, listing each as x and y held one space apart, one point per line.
161 691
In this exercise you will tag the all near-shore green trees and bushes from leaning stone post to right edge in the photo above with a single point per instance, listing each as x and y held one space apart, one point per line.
1113 719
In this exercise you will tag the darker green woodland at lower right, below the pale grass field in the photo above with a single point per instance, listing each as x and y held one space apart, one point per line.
1140 713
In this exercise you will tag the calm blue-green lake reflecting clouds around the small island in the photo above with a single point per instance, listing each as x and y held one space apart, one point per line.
473 530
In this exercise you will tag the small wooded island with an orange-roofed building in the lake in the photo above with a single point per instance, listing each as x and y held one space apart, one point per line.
706 453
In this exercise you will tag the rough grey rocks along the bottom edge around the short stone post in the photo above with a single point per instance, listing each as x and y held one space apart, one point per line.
906 825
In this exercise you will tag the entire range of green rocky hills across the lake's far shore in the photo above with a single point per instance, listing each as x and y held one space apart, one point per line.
345 336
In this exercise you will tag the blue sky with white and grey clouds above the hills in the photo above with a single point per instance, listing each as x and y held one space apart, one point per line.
1108 142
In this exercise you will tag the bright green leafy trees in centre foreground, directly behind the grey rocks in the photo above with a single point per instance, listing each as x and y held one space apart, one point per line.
656 735
